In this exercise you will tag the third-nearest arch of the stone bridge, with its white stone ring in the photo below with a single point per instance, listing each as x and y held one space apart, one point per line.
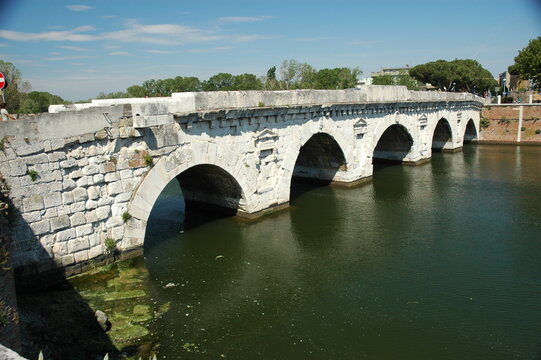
395 140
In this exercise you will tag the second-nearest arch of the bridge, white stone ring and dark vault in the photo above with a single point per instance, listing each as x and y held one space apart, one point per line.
325 137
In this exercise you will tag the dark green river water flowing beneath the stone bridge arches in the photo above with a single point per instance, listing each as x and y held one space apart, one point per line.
441 261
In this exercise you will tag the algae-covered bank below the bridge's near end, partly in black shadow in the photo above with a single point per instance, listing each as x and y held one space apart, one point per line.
61 320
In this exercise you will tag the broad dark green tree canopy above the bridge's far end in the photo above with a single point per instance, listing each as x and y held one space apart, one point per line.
458 75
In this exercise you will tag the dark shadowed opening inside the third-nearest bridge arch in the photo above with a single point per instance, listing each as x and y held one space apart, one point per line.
393 146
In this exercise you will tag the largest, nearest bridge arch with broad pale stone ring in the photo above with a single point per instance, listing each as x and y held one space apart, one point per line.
195 170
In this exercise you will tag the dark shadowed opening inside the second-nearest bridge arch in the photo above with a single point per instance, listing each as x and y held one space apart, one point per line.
320 159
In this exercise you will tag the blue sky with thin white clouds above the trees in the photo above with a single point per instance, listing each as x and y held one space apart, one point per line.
76 49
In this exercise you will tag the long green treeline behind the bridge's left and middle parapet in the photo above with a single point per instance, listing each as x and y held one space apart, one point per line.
291 75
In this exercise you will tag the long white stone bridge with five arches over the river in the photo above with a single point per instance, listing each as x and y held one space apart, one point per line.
83 174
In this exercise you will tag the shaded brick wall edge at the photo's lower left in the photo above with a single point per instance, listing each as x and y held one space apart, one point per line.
9 317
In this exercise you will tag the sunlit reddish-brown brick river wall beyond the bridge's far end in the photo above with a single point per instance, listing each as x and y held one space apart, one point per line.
503 124
